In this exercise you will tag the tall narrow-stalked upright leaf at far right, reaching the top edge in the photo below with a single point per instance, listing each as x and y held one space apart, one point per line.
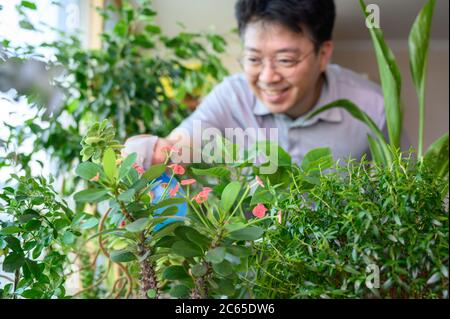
418 43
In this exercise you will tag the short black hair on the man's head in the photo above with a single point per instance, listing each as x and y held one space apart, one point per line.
316 15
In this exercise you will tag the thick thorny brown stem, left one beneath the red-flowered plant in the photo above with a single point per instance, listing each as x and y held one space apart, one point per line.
147 275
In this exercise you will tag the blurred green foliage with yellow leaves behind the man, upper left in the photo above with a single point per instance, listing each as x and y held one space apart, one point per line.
140 79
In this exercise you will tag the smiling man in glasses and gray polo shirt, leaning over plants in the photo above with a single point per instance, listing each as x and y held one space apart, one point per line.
287 47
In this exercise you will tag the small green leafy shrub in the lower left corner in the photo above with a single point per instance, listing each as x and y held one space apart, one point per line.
35 238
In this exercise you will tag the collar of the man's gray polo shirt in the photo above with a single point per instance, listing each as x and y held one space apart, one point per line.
326 96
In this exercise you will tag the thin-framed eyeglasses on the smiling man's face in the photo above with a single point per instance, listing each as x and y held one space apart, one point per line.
253 65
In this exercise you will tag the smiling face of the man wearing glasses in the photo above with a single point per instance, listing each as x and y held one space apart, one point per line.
283 68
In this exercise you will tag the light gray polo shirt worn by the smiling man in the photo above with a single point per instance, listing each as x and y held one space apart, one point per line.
233 105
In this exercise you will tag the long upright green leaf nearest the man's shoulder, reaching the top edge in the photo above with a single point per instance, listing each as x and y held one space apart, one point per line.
390 81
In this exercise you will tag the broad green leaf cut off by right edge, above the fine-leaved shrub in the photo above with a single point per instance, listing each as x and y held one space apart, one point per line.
436 157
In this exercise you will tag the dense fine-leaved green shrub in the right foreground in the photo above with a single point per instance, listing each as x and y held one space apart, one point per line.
352 221
